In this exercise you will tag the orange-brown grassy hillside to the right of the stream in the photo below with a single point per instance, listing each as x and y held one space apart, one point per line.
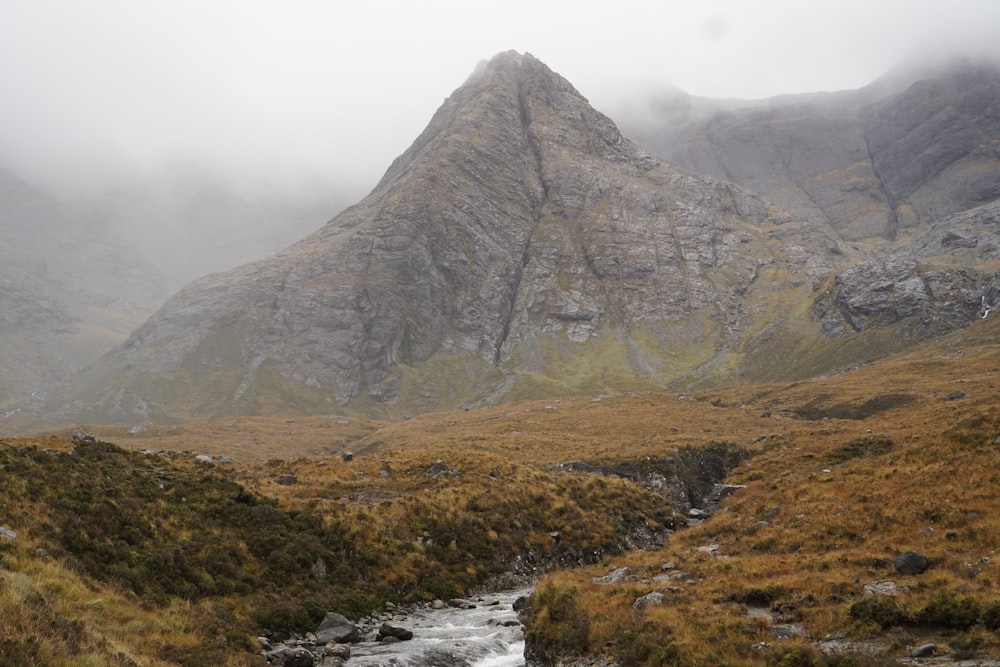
801 565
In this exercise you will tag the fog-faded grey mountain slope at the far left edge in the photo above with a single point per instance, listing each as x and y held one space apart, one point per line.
68 291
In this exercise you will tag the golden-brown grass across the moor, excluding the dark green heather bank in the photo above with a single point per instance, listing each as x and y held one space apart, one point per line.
917 467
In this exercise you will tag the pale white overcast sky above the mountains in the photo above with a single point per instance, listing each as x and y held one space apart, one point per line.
334 90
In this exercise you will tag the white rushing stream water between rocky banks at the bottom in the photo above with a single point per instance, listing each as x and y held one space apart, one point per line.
453 637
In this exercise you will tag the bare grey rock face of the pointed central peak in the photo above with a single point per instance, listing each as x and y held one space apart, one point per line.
519 227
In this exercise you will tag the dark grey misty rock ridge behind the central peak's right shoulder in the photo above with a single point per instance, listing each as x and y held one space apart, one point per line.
907 150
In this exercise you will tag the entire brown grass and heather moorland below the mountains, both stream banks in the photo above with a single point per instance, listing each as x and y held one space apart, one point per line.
158 559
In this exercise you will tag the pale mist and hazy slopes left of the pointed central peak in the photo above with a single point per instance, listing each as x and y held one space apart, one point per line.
84 267
